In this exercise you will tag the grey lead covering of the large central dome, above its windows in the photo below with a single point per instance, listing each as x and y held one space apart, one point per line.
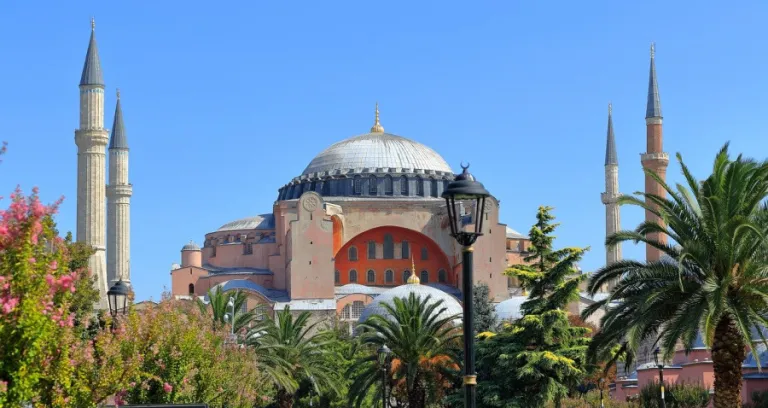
372 151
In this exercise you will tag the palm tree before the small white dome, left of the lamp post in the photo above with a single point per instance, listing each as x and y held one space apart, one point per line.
424 347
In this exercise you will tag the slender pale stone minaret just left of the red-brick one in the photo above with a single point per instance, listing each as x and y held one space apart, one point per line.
611 194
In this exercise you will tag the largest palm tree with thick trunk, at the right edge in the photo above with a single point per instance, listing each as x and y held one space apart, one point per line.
714 281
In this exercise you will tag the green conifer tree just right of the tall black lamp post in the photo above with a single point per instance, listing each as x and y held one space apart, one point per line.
540 357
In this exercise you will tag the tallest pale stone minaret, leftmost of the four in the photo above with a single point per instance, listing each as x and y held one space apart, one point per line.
91 140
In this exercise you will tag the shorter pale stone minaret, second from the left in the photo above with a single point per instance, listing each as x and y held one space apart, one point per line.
119 193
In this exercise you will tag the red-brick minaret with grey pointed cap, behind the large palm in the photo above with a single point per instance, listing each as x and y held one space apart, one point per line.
654 158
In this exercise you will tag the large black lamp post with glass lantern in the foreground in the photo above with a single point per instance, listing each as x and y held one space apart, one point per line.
465 189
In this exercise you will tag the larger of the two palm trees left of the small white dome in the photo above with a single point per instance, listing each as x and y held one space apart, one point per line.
292 350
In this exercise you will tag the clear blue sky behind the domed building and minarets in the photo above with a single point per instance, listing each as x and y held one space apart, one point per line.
224 102
